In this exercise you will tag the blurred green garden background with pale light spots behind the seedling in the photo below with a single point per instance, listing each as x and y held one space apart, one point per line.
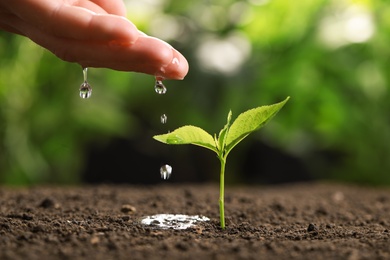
331 57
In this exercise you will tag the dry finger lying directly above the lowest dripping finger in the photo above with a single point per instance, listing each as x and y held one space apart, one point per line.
89 22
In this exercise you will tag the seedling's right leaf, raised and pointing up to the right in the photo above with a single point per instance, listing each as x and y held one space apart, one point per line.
249 122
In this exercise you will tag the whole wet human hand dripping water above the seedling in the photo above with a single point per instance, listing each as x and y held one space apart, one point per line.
93 33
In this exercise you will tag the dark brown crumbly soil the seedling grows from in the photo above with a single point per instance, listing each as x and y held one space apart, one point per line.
301 221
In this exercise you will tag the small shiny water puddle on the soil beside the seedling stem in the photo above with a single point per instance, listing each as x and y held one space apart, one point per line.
173 221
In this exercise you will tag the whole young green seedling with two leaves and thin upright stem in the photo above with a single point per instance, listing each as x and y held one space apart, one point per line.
228 138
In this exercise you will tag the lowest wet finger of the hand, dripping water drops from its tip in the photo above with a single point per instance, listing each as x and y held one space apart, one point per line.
147 55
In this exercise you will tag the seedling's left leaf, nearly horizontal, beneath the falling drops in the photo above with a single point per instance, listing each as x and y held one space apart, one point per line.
188 135
